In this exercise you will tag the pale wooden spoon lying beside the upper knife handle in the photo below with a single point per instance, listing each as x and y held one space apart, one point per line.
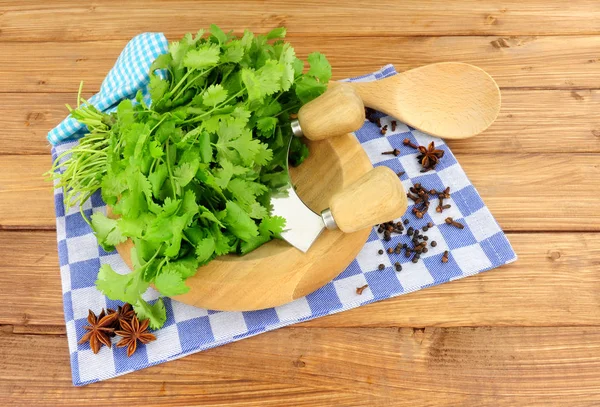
451 100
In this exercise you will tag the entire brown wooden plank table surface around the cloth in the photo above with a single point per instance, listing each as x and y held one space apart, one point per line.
525 334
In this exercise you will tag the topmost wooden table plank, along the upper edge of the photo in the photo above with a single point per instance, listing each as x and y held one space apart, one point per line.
64 20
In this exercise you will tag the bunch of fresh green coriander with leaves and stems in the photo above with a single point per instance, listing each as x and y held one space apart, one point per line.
189 176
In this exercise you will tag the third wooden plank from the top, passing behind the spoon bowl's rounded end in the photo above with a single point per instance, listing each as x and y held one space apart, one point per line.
530 121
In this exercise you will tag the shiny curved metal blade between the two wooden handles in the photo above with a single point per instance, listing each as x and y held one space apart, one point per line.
303 226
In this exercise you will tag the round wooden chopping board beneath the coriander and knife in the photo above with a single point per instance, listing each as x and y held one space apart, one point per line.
277 273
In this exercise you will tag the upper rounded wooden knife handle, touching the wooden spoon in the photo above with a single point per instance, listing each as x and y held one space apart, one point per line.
337 111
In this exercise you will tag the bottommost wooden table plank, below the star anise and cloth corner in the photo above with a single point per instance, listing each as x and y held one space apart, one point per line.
311 366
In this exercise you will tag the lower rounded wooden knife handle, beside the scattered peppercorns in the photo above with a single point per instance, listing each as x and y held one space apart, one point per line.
376 197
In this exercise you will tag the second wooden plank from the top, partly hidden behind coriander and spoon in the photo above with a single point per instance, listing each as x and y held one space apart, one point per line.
550 62
